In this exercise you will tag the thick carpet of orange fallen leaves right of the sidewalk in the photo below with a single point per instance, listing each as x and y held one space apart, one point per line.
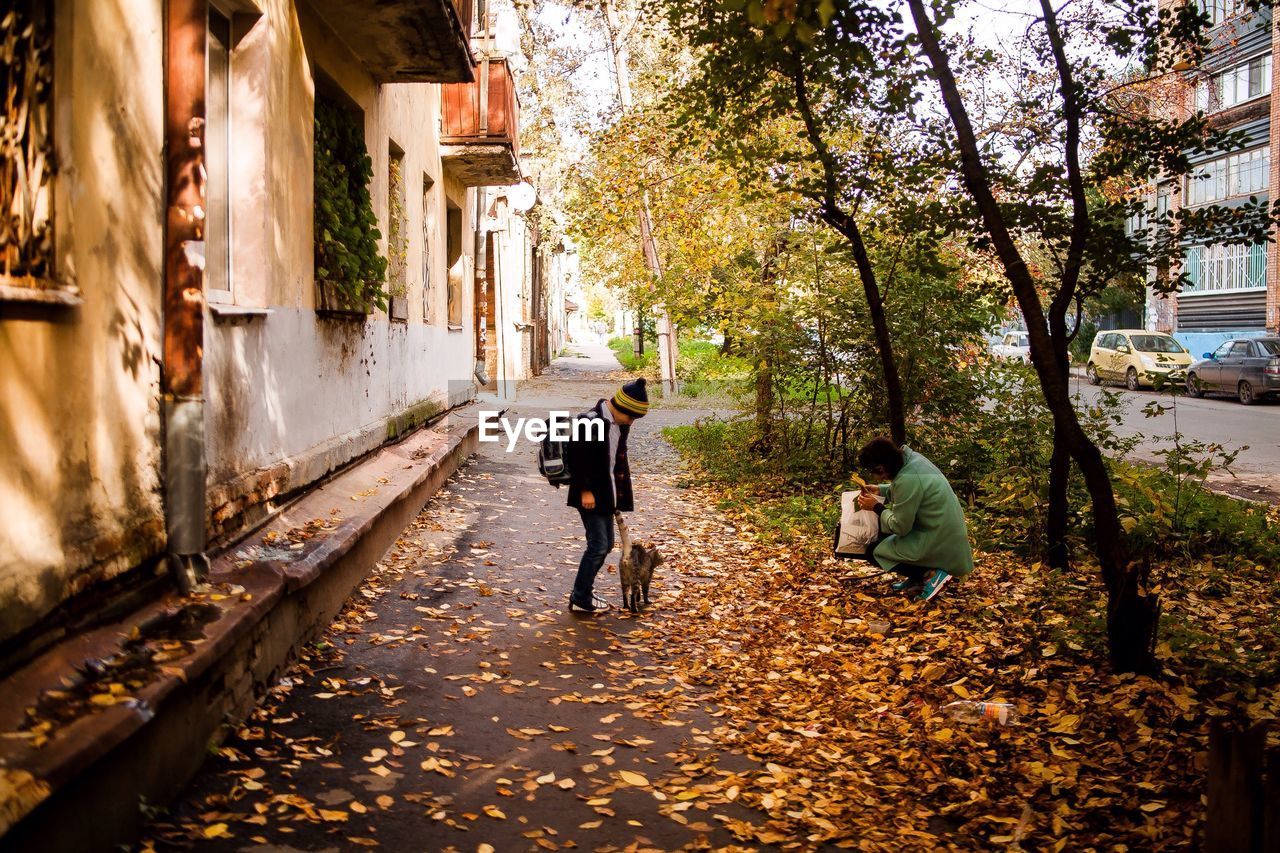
858 751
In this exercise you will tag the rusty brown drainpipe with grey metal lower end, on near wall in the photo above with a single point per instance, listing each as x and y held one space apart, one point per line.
185 466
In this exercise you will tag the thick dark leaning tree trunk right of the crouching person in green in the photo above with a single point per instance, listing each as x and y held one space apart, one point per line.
1132 617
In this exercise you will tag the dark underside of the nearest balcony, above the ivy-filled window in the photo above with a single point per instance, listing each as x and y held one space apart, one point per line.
406 42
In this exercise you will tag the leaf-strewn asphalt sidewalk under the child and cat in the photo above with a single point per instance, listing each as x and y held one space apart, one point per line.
461 708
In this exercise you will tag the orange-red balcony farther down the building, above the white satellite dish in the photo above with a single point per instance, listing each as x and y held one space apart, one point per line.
481 127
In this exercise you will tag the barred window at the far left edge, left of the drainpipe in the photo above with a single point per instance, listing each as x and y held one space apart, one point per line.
28 162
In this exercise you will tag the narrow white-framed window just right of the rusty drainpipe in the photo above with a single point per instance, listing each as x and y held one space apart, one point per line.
218 220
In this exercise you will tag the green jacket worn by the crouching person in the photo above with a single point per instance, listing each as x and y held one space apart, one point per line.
925 521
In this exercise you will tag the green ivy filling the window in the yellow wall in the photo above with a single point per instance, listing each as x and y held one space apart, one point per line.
346 229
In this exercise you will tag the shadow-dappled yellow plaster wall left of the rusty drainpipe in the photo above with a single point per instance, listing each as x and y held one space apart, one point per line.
80 419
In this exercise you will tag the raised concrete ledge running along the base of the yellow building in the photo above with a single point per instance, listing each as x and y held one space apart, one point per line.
84 788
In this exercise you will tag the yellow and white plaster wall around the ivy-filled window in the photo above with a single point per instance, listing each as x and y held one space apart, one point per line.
292 395
